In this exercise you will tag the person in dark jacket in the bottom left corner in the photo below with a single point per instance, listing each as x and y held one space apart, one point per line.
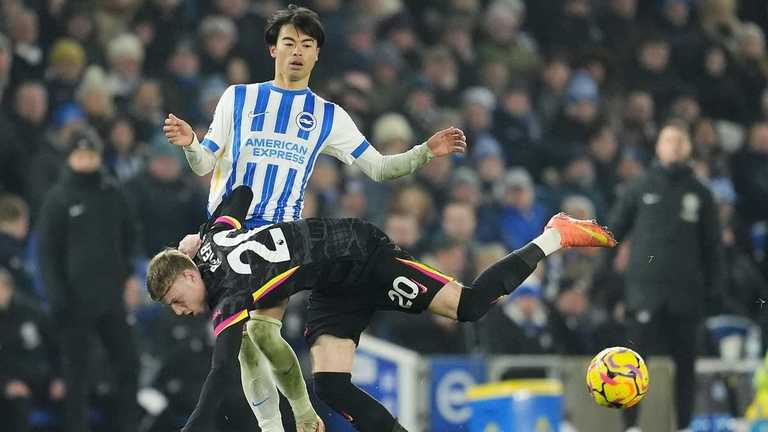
29 362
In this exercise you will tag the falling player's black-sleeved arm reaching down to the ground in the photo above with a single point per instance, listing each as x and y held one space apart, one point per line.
224 363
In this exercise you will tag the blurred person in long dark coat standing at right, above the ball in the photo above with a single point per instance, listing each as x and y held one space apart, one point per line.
675 268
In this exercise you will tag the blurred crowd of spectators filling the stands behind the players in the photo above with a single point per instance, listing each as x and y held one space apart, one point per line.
561 102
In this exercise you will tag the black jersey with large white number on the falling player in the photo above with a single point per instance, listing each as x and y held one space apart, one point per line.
251 269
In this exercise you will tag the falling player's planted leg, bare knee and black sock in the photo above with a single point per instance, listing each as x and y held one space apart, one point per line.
332 359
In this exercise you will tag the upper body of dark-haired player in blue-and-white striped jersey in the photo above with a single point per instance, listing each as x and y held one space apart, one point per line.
268 135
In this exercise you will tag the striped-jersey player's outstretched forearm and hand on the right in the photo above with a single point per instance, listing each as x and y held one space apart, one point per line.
443 143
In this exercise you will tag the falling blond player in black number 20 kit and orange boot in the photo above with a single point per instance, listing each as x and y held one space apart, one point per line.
353 270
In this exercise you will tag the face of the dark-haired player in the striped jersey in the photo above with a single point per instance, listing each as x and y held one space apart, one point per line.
295 53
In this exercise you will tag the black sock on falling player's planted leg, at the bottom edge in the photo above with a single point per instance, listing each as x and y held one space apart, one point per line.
363 411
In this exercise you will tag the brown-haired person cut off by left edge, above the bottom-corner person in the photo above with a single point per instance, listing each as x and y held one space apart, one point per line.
14 229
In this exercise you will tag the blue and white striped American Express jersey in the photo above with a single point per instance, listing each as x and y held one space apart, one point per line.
268 138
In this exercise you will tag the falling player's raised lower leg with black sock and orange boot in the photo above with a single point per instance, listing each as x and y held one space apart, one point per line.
472 302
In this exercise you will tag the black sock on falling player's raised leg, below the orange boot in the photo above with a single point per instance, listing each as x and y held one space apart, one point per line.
498 280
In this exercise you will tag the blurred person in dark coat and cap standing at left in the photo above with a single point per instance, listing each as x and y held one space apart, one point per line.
86 244
